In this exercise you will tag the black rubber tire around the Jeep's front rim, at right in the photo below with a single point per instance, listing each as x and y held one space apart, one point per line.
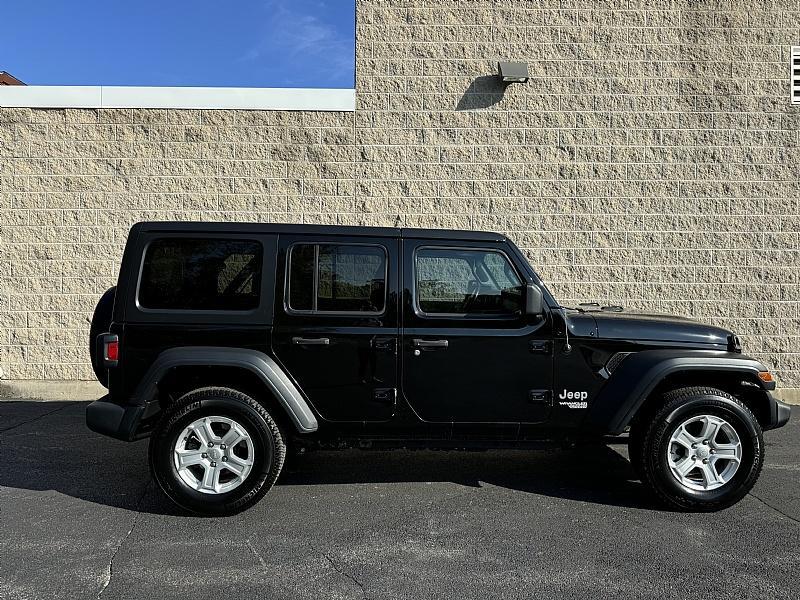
680 405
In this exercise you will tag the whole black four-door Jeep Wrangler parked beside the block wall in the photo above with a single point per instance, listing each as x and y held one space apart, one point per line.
228 343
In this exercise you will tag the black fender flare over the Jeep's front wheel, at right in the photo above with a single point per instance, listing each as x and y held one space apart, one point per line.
632 382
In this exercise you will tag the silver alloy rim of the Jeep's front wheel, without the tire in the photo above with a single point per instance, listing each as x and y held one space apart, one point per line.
704 452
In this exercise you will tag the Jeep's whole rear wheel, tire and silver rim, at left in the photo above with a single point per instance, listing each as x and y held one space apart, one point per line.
216 451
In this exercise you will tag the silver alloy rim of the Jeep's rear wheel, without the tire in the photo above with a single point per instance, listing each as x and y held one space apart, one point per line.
213 455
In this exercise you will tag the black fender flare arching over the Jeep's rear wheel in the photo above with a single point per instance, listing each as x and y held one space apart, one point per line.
258 363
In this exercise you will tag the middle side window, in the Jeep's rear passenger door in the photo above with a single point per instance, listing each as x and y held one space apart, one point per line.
337 278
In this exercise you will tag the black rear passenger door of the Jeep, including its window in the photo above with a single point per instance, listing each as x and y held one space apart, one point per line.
336 324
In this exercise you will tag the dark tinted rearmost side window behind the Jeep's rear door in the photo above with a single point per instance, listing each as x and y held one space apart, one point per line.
201 274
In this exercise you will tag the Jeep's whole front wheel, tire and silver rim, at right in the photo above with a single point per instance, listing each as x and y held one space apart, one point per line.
703 450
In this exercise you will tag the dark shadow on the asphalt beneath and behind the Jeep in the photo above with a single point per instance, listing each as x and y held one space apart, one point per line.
46 446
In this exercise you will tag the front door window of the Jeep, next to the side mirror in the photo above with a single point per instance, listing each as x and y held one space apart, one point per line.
459 282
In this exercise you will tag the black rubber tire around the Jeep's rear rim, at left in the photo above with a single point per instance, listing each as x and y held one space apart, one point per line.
268 444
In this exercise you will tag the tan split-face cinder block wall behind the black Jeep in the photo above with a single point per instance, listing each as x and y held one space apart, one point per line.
651 161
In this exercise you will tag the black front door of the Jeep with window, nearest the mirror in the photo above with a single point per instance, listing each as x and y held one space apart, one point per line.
469 353
